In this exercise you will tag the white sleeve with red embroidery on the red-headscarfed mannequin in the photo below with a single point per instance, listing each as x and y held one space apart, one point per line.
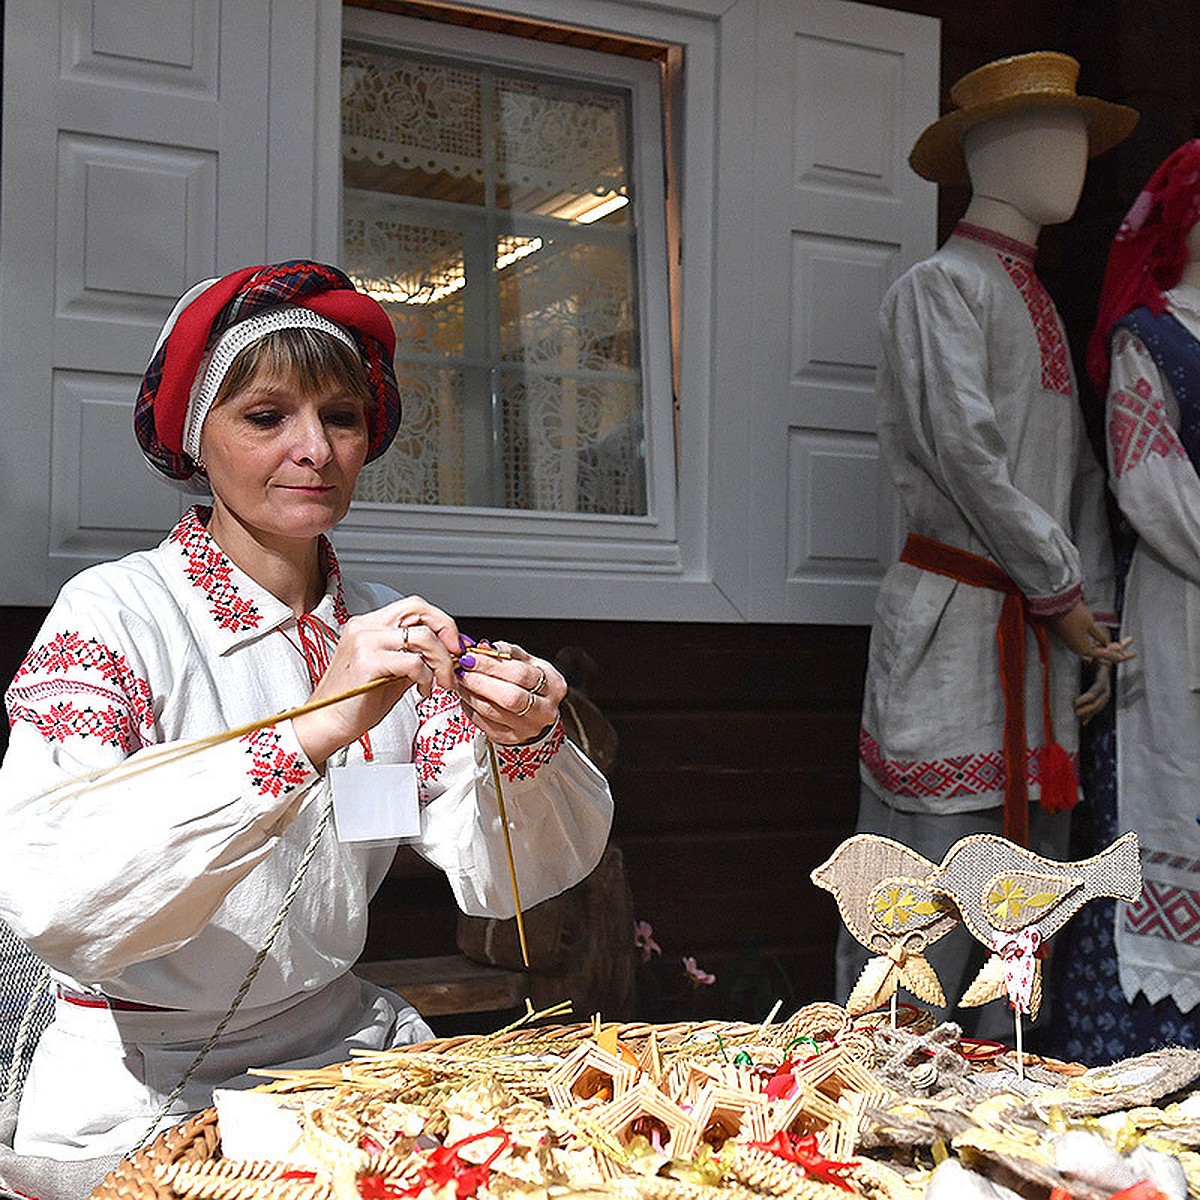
1154 479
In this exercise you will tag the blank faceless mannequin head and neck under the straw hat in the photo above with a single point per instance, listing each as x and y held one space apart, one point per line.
1027 170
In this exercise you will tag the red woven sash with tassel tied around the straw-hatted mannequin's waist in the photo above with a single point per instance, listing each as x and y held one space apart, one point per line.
1058 793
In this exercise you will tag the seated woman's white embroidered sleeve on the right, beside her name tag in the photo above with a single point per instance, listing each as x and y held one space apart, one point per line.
559 806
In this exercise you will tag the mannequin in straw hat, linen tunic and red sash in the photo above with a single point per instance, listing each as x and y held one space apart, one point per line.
1006 583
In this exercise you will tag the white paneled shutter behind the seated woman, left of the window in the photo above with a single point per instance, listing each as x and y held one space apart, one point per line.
125 181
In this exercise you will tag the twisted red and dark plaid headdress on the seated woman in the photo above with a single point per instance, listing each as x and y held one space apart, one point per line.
215 308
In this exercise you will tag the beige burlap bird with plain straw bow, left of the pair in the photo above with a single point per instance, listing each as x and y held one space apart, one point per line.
886 903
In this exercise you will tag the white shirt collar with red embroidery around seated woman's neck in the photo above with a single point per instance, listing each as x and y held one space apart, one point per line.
238 608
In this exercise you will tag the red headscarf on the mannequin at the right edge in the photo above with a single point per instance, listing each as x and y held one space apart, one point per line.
1149 253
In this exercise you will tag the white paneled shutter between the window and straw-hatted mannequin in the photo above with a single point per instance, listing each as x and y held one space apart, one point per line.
842 93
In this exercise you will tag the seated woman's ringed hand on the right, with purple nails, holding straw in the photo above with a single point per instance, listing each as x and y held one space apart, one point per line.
513 699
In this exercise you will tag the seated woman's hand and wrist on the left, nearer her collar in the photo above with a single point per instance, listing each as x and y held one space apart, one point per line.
410 641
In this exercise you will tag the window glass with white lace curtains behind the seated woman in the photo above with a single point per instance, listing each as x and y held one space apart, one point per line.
467 202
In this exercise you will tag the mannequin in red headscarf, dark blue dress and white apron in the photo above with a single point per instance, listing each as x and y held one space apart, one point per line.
1144 359
